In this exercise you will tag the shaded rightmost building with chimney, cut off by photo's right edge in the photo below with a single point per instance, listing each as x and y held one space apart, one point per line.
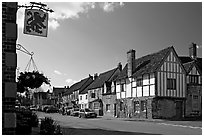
193 66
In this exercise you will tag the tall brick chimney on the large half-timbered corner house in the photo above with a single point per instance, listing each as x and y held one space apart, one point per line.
130 62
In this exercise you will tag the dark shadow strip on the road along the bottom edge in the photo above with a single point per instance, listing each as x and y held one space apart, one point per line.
80 131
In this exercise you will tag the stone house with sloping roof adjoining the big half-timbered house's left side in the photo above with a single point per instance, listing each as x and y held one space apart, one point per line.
99 97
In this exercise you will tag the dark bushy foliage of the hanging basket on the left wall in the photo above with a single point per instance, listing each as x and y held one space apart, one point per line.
30 80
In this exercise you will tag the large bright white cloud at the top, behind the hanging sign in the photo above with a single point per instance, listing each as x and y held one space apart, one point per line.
68 10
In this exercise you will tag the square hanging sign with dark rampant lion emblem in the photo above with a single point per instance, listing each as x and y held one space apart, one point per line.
36 22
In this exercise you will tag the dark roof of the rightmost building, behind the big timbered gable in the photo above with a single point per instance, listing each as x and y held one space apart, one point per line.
188 62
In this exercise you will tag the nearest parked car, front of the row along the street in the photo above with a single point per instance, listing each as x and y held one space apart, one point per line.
85 113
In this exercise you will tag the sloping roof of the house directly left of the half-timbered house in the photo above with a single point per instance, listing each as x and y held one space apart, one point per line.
102 78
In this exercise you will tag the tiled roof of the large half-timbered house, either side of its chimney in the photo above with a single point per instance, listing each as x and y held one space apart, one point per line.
146 64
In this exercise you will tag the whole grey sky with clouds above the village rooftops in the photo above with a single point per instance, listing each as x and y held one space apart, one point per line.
88 38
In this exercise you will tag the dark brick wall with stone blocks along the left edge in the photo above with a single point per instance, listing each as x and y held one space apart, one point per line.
9 63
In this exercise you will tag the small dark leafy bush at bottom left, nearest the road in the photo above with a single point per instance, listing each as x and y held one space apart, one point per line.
49 127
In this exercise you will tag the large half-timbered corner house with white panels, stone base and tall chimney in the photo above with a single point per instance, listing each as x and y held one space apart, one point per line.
152 86
